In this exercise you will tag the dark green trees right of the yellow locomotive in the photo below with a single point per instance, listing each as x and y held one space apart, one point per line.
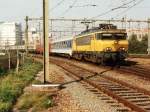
138 47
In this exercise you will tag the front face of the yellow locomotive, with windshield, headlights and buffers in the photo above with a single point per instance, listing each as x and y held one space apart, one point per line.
113 45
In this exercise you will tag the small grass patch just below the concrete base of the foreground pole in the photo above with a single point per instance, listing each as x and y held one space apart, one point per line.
37 101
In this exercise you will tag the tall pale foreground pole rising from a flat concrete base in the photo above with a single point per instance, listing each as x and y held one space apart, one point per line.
46 40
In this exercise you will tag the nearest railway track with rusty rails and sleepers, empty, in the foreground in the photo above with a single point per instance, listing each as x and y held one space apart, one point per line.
133 98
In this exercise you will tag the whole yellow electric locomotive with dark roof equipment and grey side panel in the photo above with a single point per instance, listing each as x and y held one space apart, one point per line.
104 44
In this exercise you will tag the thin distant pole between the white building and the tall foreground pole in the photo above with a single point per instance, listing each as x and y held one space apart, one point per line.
26 34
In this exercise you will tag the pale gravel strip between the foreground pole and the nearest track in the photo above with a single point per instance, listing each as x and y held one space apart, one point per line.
76 98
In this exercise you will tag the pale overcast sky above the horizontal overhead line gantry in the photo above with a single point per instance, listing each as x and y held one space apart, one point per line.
16 10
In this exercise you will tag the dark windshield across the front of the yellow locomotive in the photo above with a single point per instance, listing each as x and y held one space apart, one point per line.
113 36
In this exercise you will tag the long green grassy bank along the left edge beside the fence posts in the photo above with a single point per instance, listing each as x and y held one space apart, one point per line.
12 85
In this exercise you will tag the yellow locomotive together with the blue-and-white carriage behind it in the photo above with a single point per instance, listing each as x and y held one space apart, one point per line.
102 44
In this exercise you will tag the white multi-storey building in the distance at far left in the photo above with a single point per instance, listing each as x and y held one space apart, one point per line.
10 33
